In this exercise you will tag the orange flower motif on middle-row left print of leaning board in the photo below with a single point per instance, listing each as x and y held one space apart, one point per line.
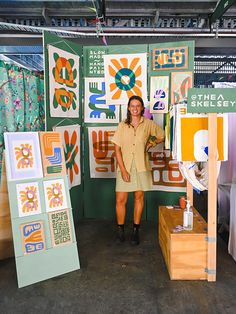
29 199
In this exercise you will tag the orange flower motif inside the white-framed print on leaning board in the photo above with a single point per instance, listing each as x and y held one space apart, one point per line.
24 156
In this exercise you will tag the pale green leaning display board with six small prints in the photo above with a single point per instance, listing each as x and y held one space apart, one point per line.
41 215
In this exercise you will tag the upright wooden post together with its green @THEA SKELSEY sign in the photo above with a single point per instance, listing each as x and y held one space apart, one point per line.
220 100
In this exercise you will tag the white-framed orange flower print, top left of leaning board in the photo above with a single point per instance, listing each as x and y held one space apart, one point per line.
23 153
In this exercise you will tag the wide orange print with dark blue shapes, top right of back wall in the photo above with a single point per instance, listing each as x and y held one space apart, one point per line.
174 58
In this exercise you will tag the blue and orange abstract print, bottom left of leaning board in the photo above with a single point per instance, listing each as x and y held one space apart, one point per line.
33 239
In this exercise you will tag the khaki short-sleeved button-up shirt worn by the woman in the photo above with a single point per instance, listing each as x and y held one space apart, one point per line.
133 142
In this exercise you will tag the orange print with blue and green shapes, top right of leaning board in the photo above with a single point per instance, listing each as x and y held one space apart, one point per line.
52 154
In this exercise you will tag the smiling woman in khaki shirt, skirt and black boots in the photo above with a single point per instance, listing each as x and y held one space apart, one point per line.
132 140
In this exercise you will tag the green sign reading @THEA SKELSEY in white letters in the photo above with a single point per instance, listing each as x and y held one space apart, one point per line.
211 100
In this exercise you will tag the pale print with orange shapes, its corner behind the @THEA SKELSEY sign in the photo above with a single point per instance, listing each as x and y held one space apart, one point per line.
180 83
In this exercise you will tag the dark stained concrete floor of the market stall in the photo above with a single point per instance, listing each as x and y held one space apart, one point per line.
120 279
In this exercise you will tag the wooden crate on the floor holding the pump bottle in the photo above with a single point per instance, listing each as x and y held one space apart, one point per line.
185 252
